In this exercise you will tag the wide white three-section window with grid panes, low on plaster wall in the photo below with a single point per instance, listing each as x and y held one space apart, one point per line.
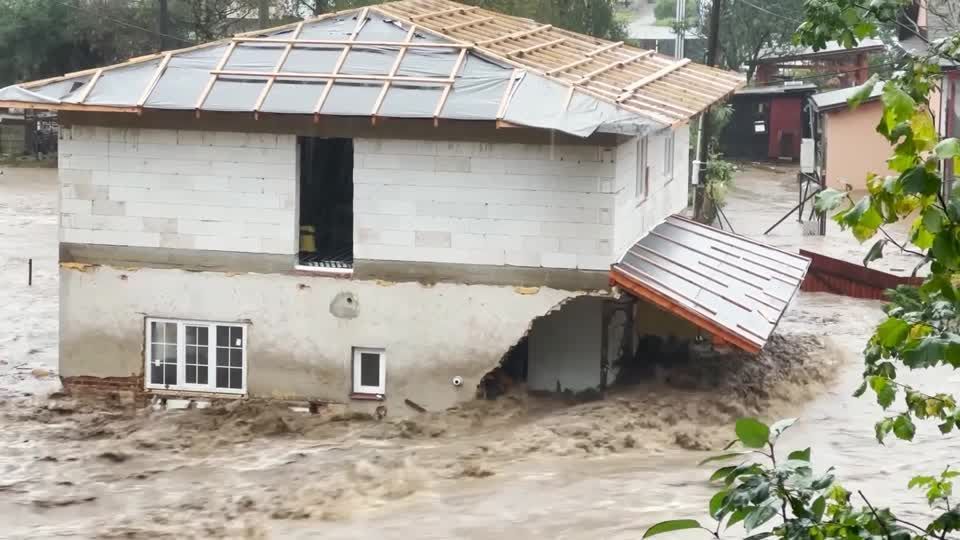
199 356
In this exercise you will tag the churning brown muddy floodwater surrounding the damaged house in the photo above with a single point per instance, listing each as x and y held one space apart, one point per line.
515 468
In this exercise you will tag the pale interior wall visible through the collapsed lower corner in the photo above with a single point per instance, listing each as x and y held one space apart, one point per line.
564 347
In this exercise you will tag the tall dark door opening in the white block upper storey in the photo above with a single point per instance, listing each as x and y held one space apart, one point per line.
326 203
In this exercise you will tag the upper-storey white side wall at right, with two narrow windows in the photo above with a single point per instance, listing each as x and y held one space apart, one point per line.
667 195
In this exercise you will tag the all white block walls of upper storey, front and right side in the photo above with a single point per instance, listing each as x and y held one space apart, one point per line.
560 206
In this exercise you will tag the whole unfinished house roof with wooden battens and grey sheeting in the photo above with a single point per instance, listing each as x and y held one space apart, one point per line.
429 59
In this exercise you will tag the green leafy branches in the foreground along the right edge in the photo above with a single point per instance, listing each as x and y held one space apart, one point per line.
788 497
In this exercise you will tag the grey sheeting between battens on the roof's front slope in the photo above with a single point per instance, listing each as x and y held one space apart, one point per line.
476 94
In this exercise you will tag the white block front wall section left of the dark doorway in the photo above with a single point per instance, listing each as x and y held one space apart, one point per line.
178 189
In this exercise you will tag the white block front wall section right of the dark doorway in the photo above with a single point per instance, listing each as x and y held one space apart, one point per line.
480 203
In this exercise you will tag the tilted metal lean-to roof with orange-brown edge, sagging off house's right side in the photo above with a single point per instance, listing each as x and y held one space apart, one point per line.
733 287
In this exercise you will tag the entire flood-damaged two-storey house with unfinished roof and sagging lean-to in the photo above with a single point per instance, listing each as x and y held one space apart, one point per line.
378 206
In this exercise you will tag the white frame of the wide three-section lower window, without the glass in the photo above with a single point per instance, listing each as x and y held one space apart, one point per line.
182 385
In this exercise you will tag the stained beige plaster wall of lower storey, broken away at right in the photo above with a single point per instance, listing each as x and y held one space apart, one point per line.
296 347
